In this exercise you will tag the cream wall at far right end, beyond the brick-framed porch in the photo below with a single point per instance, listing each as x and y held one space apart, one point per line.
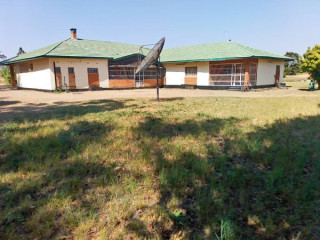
267 70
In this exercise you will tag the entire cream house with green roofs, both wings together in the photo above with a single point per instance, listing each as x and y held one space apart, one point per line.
81 64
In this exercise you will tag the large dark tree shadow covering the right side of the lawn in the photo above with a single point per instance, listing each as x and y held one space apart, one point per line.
263 184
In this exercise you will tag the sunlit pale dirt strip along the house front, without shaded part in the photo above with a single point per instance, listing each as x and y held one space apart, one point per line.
32 96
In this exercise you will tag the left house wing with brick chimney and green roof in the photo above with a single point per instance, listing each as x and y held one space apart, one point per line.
81 64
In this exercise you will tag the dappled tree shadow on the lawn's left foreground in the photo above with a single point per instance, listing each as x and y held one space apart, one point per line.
60 179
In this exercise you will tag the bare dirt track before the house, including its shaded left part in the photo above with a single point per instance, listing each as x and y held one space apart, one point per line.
13 102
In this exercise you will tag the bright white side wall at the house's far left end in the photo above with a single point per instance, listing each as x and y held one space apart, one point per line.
38 78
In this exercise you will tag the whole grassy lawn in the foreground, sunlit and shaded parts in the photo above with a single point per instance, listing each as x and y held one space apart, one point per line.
209 168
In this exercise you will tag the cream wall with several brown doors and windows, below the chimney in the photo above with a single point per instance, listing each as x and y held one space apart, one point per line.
80 69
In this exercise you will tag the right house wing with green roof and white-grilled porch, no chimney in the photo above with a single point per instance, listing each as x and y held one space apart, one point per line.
222 65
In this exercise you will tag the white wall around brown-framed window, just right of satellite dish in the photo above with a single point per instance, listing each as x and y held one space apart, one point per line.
175 73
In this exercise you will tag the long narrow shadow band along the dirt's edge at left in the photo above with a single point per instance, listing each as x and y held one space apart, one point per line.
57 110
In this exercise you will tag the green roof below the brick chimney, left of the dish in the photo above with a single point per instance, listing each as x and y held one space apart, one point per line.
81 48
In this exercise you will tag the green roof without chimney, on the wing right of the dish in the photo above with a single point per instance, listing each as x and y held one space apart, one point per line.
215 52
